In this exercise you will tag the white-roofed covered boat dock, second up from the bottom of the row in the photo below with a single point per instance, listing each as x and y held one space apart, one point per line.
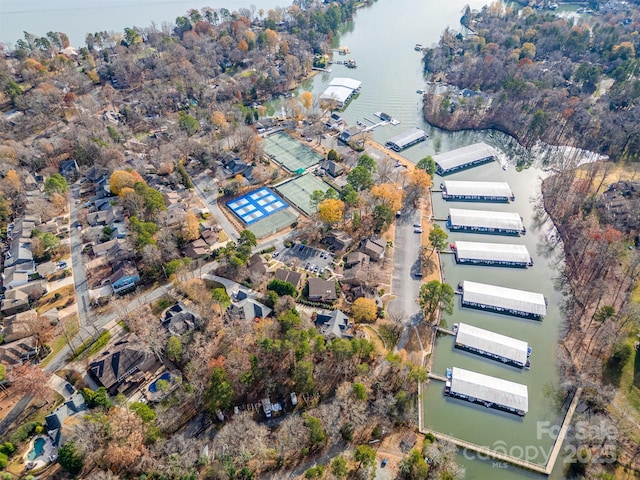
492 345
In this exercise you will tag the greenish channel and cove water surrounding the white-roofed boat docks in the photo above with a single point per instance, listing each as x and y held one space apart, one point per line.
382 42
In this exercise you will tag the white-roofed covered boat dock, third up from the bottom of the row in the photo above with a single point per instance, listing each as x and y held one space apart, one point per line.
503 300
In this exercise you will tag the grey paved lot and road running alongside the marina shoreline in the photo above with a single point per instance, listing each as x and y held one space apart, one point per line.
405 285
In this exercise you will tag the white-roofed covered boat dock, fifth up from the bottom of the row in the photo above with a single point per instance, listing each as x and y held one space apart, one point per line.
483 221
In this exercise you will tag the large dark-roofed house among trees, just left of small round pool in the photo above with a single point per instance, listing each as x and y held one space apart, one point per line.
123 370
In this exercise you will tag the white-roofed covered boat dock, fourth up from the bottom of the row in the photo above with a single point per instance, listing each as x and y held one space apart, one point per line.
499 254
